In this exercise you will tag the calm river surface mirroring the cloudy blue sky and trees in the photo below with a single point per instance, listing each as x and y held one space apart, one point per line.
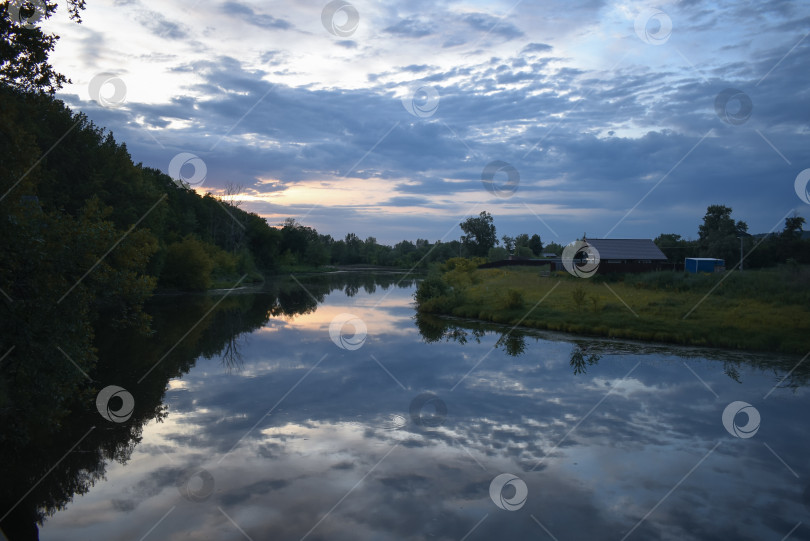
253 423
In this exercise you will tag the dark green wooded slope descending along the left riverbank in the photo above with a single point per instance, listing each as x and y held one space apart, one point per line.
64 174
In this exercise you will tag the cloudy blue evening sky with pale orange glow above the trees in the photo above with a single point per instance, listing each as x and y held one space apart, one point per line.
399 119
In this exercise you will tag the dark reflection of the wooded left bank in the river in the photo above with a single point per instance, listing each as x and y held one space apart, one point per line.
49 454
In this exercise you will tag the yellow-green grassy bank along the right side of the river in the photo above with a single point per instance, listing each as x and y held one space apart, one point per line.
756 310
